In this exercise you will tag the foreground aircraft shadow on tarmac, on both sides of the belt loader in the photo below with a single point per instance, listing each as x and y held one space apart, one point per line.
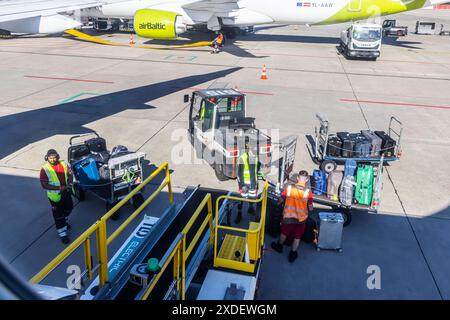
412 252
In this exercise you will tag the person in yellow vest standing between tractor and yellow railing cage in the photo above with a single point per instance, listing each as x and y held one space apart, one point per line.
248 171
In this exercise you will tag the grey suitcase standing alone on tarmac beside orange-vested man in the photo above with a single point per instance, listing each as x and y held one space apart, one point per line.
330 231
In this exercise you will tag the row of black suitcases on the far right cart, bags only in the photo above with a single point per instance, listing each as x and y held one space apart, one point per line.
366 144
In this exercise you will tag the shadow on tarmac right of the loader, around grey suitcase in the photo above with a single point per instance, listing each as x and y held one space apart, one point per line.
411 253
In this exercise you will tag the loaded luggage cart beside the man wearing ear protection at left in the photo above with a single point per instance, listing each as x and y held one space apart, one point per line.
109 176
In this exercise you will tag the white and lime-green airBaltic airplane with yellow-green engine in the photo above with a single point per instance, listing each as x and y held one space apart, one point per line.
165 19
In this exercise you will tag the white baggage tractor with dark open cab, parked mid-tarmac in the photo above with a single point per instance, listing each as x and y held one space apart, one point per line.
219 128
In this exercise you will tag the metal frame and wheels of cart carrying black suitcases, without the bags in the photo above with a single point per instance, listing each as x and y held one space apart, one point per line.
328 163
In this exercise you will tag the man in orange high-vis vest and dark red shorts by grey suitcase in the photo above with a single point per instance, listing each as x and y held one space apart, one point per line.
297 205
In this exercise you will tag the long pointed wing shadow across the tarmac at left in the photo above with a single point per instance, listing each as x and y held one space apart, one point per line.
56 120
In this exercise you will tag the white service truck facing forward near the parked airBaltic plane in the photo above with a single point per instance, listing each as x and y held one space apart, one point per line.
361 41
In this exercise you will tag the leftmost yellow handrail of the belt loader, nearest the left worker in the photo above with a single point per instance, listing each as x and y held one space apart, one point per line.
99 227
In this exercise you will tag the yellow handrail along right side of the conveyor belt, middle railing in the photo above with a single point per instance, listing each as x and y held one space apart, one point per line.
179 253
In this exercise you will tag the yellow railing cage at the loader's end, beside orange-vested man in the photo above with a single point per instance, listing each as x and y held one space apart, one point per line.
255 247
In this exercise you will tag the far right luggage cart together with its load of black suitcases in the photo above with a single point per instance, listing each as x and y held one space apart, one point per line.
366 146
